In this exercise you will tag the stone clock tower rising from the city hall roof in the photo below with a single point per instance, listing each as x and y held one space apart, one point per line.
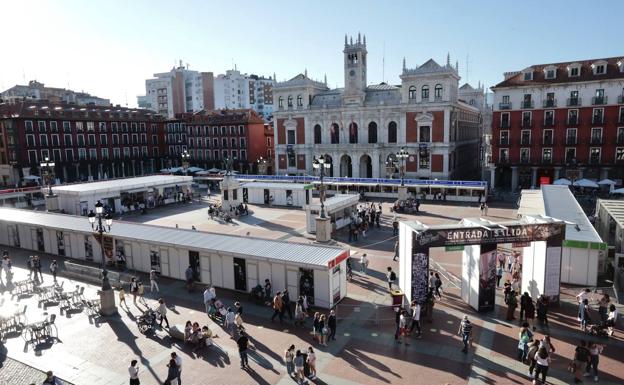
355 70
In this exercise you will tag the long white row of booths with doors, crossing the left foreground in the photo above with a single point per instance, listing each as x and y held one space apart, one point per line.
225 261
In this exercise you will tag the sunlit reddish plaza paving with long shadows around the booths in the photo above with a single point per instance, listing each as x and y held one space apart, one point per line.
98 351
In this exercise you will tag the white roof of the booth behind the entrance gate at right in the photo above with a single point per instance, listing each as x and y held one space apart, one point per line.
559 202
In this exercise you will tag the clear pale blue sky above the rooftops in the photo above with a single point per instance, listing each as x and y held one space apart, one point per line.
108 48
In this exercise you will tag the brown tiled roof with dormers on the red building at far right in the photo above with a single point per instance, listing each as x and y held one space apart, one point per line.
539 78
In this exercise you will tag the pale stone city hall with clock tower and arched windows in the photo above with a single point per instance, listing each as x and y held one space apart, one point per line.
360 128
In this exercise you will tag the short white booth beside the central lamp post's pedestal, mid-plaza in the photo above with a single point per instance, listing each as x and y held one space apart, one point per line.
339 209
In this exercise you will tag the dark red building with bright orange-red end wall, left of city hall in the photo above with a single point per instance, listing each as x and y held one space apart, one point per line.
212 136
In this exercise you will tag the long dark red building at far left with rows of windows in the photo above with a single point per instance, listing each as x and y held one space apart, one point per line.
85 142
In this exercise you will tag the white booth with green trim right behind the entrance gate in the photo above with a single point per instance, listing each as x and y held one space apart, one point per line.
584 253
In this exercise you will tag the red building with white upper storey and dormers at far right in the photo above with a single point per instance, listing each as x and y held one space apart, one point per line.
559 120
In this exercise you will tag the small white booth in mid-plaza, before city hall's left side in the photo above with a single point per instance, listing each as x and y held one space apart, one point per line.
277 194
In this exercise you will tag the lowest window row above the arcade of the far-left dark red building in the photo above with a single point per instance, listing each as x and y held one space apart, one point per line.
56 154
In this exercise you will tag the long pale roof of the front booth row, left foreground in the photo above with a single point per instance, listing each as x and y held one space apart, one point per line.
296 253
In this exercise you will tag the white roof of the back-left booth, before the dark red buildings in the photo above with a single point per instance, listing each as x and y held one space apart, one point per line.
123 184
